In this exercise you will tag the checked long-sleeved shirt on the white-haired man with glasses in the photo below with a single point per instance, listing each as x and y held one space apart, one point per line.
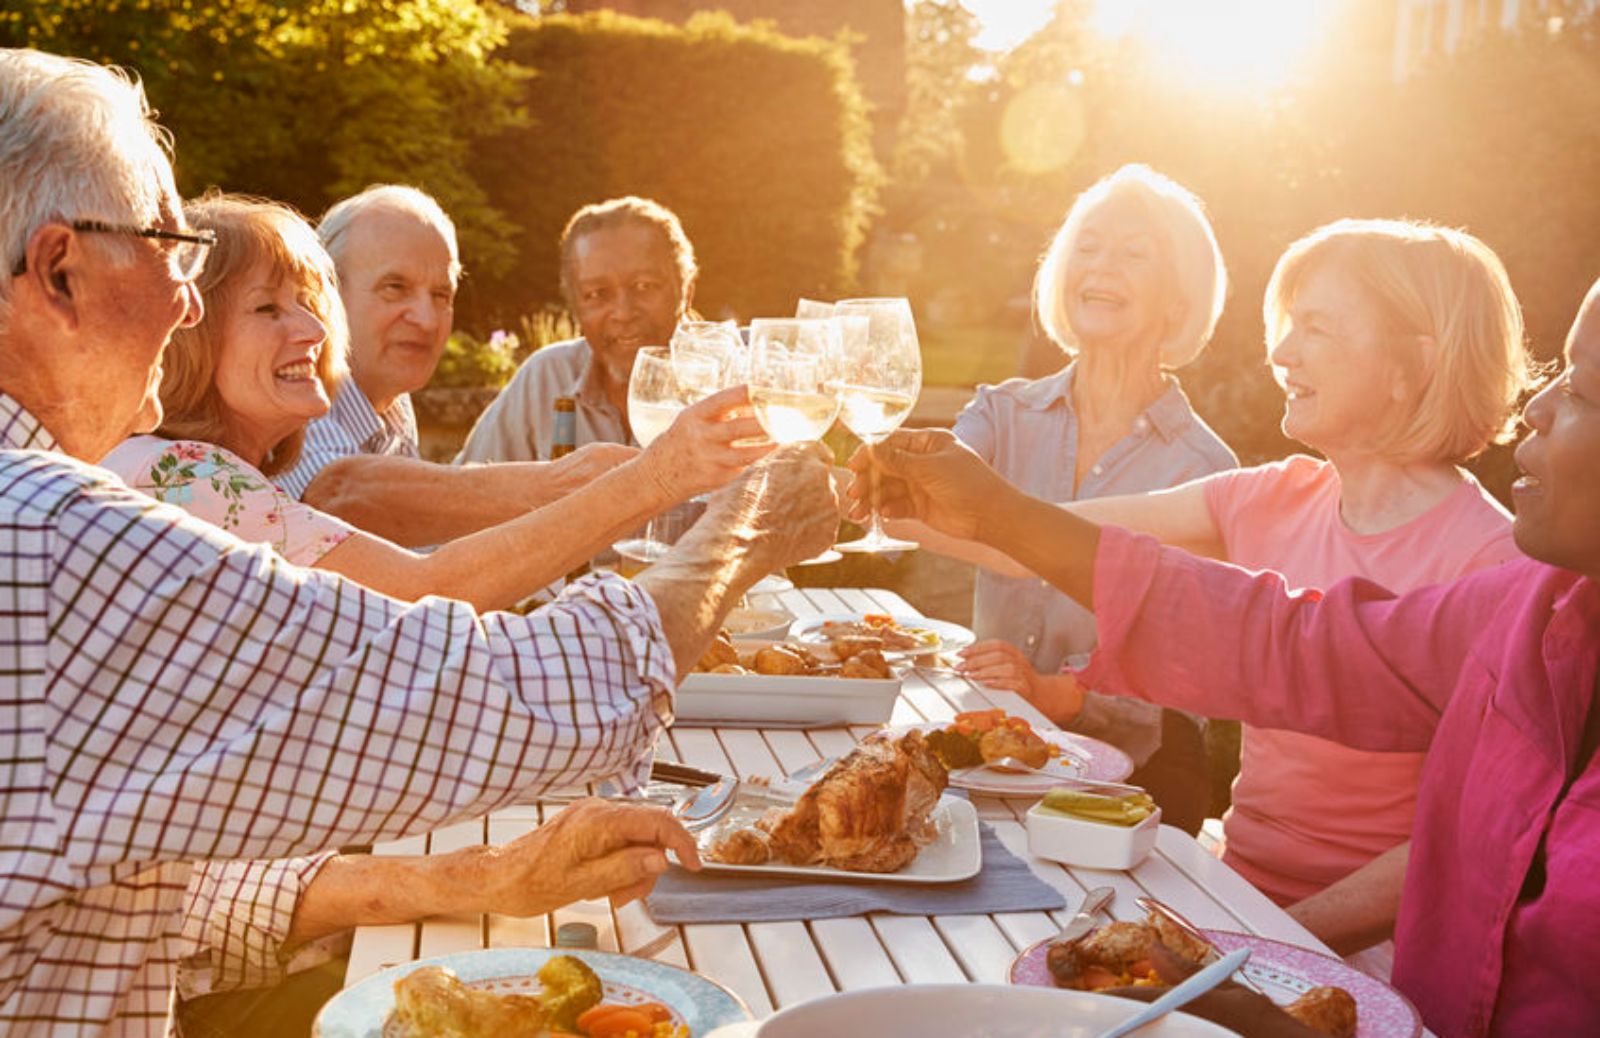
170 693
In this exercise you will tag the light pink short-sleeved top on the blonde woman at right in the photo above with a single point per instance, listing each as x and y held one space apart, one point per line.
1310 812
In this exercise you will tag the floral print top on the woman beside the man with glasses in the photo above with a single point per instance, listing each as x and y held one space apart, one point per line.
226 492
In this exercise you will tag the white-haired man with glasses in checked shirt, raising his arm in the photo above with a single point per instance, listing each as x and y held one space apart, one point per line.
170 693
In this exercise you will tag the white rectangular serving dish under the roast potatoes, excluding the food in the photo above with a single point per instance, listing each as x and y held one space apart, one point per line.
785 700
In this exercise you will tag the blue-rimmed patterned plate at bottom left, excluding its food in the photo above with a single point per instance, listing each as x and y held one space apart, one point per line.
698 1004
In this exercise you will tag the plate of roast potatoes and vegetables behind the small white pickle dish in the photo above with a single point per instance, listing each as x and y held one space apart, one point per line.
977 738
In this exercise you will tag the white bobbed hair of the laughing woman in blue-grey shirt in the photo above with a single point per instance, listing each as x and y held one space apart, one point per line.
1188 246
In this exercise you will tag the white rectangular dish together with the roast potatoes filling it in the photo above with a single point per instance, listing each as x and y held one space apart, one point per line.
756 681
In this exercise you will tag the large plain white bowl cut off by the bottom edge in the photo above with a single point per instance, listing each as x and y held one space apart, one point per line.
967 1012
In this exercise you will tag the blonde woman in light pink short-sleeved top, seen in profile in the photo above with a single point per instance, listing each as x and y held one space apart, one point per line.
1401 353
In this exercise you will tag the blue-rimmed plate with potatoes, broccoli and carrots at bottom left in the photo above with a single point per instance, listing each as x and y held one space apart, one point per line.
530 992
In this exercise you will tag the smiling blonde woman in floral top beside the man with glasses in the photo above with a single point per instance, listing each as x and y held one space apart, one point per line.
241 388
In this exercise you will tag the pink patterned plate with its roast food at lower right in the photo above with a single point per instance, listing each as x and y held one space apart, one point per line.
1316 989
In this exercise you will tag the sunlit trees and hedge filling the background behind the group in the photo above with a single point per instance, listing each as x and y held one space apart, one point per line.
791 183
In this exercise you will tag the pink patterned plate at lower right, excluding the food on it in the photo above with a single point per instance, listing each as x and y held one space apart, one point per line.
1284 973
